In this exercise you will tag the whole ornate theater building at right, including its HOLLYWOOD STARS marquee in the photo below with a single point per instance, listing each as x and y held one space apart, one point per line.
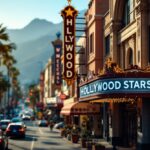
121 83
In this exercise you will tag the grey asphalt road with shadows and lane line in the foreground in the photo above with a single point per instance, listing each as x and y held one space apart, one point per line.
40 138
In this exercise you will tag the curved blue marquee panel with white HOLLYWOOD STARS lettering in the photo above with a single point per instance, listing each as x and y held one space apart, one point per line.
116 86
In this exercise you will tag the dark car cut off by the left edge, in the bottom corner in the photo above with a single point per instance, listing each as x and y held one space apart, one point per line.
3 141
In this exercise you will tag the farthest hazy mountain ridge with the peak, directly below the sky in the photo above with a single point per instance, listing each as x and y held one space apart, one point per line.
35 29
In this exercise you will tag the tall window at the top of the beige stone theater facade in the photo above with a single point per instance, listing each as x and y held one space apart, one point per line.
128 12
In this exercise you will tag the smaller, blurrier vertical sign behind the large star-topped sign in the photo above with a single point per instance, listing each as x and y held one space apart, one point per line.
58 64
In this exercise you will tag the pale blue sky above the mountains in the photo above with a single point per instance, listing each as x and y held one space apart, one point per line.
18 13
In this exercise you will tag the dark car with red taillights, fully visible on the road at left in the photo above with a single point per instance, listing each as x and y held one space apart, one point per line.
15 130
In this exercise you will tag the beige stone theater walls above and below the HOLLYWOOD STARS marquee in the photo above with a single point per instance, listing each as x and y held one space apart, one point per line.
127 32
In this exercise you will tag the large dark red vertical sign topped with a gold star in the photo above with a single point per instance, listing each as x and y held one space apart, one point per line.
69 15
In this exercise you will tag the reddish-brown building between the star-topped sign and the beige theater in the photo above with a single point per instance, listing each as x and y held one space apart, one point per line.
94 34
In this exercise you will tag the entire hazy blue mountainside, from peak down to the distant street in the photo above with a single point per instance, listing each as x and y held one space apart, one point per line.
34 46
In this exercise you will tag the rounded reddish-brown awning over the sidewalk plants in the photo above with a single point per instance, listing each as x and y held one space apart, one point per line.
78 108
